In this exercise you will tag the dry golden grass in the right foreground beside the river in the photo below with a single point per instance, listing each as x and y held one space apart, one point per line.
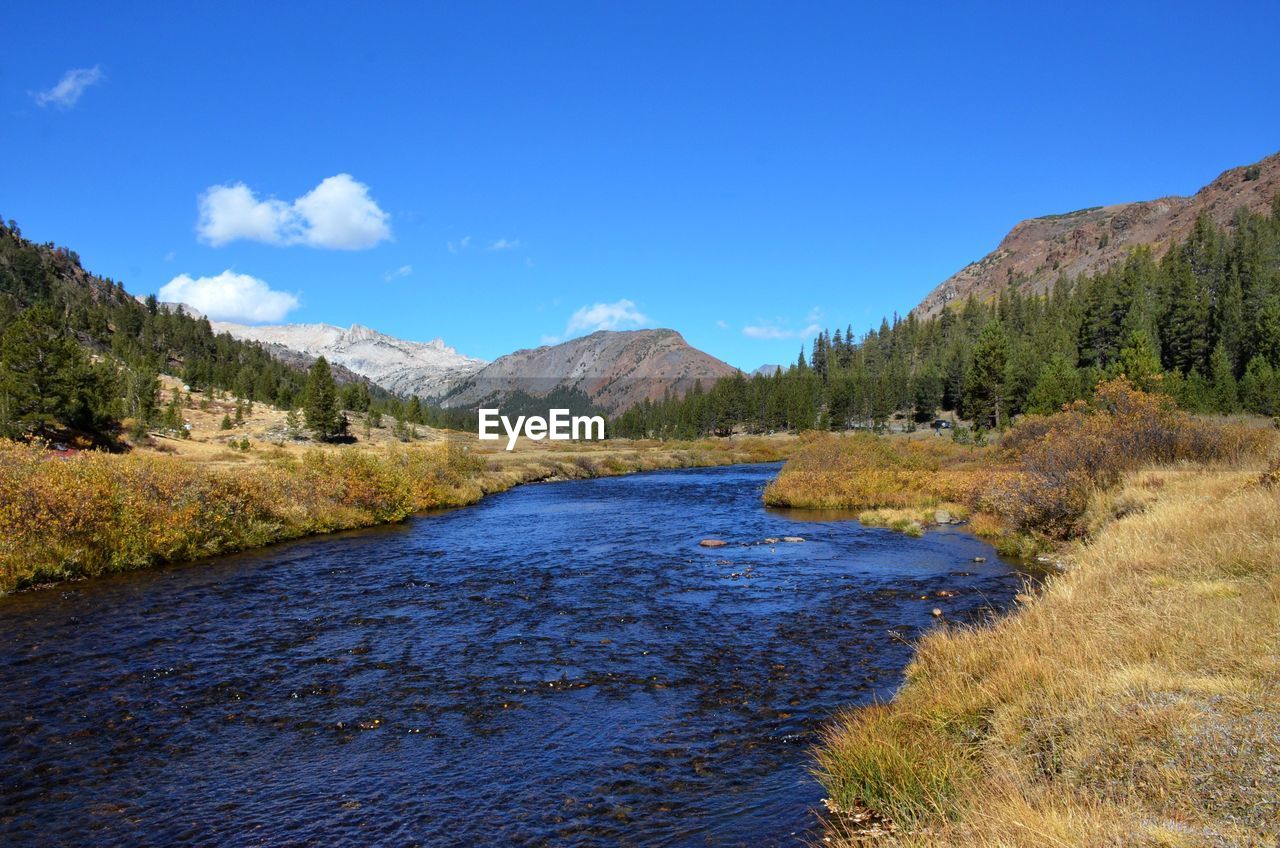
1131 704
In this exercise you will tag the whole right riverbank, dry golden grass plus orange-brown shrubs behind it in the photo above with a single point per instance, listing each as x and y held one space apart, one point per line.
1132 700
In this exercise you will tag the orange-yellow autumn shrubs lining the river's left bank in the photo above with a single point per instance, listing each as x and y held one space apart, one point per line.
95 513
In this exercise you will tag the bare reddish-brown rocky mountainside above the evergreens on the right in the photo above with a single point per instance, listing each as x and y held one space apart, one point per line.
1040 250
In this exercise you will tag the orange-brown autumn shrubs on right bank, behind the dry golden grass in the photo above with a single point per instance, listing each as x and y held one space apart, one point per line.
1030 493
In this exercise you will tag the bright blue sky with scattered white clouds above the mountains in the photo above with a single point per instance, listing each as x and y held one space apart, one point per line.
505 175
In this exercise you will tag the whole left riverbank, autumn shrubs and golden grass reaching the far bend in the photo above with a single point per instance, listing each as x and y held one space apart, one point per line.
95 513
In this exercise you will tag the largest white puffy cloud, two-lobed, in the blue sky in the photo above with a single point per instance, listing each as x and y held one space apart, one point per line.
337 215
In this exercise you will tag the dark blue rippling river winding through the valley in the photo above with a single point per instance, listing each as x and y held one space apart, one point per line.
560 665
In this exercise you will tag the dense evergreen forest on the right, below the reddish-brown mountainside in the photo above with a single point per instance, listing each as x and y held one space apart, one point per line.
1203 325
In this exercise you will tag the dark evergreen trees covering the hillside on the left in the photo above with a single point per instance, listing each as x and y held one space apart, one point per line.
77 353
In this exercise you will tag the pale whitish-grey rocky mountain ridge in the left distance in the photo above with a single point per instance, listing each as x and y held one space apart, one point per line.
428 370
